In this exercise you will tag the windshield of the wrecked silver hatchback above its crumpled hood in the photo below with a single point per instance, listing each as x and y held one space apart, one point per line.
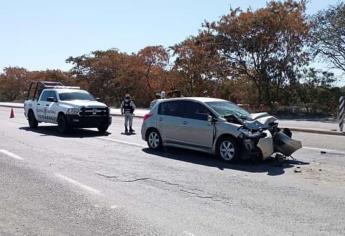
226 108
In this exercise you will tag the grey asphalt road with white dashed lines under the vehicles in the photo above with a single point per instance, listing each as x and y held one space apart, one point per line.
87 184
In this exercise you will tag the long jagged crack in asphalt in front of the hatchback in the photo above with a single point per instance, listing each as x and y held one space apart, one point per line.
192 193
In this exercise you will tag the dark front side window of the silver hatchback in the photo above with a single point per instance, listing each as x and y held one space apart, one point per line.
196 111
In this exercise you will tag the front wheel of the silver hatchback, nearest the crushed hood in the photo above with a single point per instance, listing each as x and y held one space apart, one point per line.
227 149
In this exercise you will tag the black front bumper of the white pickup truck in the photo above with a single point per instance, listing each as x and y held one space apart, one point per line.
77 121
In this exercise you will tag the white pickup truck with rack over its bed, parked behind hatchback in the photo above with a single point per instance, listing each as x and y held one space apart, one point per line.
68 107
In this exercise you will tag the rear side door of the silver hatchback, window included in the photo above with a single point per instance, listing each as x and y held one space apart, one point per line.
169 121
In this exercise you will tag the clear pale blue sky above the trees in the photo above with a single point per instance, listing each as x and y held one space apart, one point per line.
41 34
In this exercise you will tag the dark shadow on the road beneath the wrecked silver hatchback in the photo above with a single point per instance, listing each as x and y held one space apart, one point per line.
271 166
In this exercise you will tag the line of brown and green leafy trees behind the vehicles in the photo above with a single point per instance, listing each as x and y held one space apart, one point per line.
261 58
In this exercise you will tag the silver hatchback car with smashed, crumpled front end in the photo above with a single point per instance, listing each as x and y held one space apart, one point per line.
215 126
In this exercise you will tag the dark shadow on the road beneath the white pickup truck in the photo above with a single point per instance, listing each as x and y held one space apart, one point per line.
74 133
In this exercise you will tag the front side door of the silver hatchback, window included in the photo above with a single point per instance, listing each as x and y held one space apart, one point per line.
196 131
